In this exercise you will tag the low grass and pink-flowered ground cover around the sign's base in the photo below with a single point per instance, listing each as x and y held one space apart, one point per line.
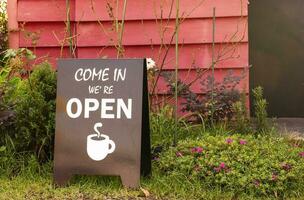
205 165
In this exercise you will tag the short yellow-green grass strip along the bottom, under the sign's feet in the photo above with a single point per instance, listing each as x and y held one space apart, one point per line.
40 186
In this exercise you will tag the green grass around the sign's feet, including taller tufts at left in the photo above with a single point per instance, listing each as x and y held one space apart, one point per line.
23 178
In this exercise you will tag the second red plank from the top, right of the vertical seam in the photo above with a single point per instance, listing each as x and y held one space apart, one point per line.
192 31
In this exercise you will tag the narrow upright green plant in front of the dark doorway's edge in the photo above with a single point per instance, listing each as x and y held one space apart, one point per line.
260 110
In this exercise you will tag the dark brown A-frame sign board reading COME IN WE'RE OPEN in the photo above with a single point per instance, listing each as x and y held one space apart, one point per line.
102 120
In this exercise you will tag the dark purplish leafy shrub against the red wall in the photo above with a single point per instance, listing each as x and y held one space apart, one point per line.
224 95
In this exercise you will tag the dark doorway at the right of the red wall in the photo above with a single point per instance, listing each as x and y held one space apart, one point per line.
276 35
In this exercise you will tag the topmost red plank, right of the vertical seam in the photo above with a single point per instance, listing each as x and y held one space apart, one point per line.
156 9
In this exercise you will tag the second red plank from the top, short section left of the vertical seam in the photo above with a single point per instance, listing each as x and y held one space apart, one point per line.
51 34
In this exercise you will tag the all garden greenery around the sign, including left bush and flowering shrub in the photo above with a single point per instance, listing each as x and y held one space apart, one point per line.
227 159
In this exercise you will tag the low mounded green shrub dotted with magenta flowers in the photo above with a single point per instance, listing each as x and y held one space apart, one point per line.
241 164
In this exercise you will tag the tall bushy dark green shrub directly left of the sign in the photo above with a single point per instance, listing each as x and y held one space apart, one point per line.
34 101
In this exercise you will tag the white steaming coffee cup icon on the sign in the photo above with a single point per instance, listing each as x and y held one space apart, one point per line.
99 146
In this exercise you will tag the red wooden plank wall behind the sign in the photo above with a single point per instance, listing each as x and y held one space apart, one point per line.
41 26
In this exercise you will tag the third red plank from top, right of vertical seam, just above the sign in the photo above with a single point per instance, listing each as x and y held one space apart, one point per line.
198 56
